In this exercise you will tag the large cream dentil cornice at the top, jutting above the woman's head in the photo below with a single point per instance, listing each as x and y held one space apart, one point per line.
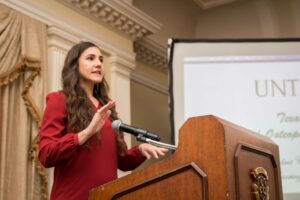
121 15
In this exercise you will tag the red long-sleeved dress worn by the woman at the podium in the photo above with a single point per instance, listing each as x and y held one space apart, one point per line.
79 168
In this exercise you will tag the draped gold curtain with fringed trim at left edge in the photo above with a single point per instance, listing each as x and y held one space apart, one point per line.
23 53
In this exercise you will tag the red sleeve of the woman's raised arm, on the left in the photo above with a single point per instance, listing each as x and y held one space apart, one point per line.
56 144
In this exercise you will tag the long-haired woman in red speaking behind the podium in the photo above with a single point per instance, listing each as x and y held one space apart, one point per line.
76 135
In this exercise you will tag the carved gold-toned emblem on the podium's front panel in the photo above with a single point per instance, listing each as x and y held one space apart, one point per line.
260 189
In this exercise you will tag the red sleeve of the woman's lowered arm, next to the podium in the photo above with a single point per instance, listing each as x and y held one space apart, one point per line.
131 160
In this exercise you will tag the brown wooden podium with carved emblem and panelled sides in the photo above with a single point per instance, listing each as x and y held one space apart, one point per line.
215 160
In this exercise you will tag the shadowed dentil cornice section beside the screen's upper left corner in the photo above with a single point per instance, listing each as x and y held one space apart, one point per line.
150 52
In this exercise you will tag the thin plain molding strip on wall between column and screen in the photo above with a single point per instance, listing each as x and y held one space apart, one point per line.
149 83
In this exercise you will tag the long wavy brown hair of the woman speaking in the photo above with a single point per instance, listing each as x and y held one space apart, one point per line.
79 108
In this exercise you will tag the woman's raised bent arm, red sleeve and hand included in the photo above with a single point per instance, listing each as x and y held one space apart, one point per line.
56 144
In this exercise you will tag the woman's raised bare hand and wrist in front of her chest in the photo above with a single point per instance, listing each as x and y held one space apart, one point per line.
98 121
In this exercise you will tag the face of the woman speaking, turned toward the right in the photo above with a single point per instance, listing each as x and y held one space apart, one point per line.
91 69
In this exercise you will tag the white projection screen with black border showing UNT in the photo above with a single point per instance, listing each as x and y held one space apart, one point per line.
253 83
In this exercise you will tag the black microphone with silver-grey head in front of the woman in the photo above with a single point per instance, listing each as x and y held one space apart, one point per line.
118 126
